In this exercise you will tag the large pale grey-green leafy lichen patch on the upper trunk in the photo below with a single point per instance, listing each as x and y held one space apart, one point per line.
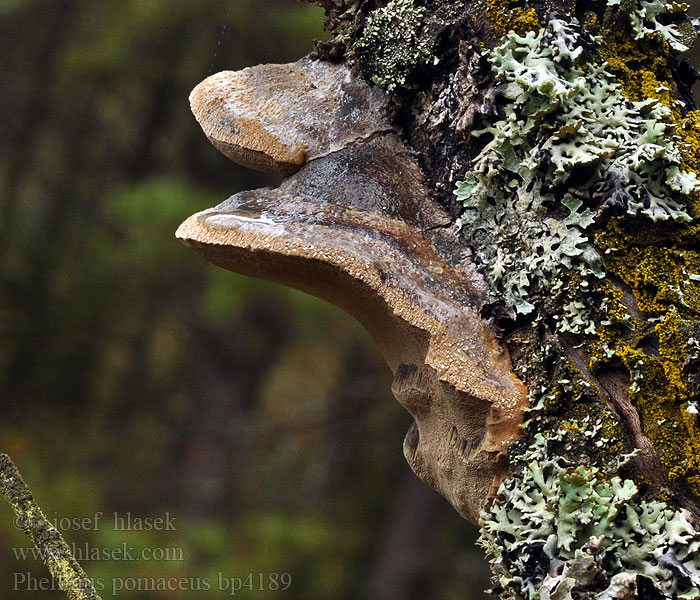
568 145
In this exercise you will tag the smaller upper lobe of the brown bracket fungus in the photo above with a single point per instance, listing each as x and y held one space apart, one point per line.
267 117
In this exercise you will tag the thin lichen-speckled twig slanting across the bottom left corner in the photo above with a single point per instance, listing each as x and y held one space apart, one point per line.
52 547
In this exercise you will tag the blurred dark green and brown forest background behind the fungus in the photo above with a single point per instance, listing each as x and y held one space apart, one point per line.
136 379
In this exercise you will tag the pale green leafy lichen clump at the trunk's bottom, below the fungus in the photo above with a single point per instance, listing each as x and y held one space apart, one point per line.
561 531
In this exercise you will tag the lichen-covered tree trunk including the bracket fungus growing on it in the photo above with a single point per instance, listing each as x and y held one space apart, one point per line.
511 209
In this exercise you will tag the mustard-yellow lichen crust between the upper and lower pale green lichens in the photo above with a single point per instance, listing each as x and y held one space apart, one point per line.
663 276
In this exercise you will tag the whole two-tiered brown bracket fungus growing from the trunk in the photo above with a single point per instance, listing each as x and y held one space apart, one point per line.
356 226
